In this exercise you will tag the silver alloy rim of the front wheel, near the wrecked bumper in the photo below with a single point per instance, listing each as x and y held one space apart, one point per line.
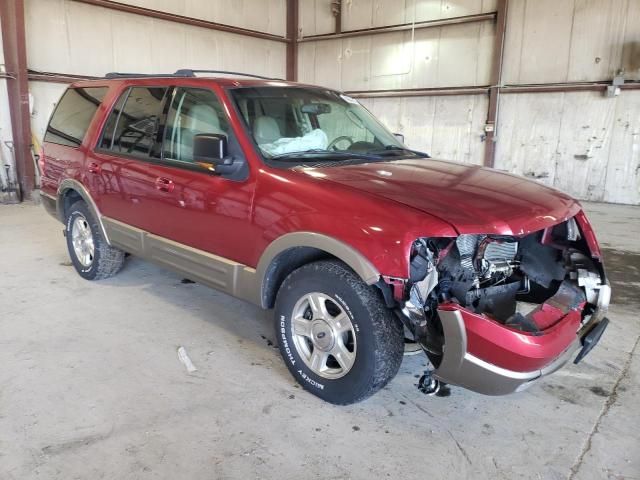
323 335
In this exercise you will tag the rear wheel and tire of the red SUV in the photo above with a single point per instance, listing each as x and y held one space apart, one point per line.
94 259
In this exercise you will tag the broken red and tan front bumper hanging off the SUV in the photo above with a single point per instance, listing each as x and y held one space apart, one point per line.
486 357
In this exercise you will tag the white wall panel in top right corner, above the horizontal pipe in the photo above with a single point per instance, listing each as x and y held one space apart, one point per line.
572 40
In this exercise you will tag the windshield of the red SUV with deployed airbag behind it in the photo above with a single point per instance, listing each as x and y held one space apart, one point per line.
291 123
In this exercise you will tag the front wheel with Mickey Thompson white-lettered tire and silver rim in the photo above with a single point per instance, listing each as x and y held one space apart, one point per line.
368 348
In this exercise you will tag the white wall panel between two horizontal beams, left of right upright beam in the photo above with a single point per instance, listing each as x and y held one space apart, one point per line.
410 59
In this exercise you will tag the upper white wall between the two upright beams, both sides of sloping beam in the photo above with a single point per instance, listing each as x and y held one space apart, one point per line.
456 55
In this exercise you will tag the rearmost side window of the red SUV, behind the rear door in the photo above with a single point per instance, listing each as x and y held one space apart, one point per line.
71 118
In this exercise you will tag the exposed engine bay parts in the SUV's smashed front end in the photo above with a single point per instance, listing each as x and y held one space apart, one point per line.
508 278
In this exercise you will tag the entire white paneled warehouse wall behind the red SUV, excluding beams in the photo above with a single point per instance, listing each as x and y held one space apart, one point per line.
580 142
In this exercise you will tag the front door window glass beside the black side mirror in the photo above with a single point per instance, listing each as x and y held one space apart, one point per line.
193 111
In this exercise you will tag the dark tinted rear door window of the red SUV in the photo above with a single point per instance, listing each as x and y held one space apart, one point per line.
132 126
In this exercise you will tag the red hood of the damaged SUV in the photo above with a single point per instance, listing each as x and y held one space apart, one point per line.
472 199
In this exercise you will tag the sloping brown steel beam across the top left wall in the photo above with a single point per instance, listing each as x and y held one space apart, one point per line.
172 17
